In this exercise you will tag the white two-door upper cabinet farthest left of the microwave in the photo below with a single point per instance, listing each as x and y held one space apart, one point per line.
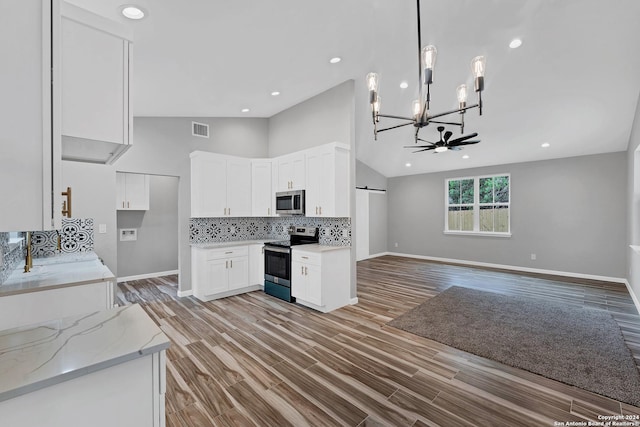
220 185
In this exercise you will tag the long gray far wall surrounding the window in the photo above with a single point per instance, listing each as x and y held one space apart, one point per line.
566 211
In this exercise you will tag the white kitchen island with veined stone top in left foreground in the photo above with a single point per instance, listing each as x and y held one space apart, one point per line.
105 368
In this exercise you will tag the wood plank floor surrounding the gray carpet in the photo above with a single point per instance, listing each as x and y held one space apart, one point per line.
255 360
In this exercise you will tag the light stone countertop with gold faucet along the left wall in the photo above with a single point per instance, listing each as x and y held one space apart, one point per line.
58 271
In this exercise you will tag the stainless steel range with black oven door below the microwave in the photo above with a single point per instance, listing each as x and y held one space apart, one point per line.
277 261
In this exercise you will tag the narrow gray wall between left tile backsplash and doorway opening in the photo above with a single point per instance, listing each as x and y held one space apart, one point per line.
94 196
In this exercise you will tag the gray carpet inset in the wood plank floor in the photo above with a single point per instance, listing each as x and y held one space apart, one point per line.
577 346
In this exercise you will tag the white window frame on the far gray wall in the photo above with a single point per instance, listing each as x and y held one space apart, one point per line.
476 207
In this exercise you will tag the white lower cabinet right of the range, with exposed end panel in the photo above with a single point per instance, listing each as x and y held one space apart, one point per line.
321 278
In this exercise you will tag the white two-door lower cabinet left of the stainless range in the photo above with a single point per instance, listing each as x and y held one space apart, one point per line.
220 272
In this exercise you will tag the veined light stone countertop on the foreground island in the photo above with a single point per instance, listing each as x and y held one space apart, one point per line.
37 356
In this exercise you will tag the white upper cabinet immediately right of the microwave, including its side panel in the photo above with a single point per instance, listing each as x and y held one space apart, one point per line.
328 190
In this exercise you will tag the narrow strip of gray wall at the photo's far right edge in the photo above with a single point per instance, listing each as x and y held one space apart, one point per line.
633 204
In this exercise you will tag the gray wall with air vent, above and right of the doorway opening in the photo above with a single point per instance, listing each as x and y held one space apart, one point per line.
162 146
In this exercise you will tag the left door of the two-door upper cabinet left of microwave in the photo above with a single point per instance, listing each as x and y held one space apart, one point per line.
208 185
